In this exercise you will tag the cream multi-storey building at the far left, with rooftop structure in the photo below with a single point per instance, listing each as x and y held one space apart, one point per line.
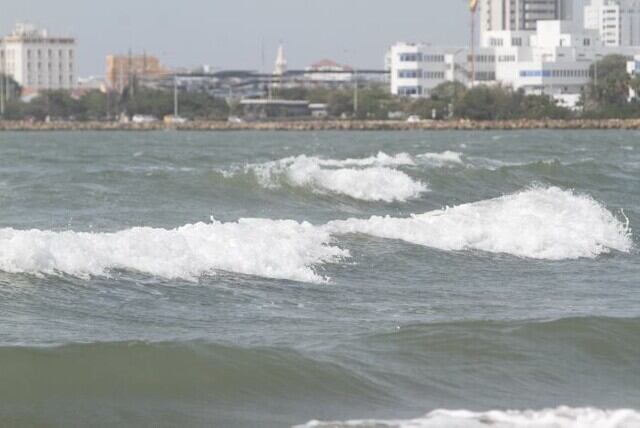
38 61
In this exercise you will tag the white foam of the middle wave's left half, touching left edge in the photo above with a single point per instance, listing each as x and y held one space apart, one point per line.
267 248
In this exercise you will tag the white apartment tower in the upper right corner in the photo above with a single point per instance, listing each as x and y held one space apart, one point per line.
618 21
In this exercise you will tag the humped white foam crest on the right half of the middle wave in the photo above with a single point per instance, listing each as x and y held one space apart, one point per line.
540 223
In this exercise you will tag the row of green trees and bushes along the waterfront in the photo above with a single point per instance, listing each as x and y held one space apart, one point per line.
607 96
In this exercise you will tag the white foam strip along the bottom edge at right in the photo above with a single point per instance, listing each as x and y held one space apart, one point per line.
562 417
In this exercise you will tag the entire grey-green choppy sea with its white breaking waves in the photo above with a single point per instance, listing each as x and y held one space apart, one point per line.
247 279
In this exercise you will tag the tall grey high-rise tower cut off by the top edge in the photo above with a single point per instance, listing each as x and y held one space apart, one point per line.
522 15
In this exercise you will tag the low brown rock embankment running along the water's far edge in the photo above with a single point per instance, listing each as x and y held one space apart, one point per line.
332 125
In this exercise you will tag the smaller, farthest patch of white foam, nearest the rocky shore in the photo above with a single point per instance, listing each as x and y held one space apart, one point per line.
368 179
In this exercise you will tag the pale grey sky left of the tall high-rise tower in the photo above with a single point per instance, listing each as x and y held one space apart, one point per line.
231 33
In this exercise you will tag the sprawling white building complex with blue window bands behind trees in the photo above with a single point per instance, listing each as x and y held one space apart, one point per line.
555 59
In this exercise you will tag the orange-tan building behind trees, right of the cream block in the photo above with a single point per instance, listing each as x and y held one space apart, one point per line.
121 69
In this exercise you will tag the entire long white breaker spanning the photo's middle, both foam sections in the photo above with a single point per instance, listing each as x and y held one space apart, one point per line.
540 223
